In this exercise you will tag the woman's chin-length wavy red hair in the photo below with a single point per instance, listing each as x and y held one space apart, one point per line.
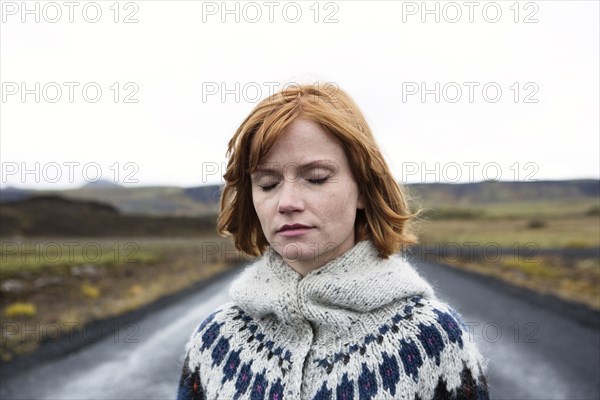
386 215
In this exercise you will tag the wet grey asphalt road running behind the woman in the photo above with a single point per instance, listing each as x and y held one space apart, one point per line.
534 352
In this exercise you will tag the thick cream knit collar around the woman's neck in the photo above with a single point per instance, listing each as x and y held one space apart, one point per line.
345 295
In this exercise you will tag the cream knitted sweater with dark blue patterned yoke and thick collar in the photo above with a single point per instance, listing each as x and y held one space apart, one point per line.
359 327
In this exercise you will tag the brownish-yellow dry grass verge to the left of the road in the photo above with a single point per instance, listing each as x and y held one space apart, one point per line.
115 289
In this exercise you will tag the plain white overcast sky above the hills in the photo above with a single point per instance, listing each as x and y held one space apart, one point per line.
377 51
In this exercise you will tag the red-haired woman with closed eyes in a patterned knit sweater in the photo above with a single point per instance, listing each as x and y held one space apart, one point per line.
328 311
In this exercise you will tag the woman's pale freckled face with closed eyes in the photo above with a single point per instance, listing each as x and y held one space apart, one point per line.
305 178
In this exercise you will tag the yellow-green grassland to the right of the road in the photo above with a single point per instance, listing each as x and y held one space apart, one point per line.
576 280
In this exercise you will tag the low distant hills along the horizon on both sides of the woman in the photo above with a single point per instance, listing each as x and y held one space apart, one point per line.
204 200
